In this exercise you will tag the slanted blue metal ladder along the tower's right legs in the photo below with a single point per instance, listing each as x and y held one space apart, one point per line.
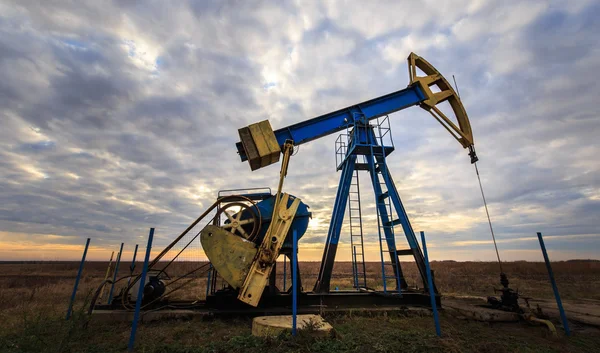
389 270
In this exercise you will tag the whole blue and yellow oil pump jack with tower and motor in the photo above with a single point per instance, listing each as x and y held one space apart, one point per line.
244 247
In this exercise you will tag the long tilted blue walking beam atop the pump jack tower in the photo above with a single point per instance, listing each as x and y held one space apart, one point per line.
339 120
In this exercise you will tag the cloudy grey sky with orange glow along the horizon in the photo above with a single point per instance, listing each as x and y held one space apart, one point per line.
120 116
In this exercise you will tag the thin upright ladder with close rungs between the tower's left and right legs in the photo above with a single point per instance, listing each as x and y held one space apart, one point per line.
359 273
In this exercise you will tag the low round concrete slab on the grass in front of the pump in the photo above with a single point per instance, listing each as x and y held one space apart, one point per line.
263 326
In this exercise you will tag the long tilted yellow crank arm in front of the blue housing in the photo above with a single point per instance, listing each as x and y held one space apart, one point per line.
258 275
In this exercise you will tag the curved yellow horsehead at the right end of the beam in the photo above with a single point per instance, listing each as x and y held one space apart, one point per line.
462 132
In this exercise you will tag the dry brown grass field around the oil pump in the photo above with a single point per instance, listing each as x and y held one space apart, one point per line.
34 299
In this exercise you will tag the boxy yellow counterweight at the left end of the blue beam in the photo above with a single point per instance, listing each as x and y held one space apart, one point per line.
260 144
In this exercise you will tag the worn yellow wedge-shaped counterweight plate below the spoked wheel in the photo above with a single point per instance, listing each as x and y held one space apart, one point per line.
229 254
